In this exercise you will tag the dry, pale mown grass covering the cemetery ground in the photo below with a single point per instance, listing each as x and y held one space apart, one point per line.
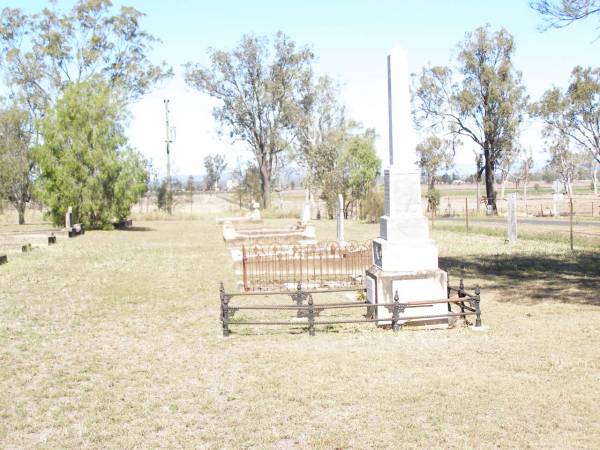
112 340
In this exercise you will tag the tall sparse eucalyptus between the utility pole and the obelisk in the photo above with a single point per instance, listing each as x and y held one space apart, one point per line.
260 92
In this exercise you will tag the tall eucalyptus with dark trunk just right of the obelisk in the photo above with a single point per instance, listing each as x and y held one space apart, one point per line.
482 101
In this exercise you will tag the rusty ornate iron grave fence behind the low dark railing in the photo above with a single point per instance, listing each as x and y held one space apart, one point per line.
267 268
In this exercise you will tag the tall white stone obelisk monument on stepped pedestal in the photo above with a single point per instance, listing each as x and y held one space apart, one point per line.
406 259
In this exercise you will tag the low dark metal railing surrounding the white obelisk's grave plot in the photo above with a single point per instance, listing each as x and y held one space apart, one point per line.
468 304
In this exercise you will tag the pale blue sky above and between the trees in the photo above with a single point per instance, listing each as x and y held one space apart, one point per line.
351 40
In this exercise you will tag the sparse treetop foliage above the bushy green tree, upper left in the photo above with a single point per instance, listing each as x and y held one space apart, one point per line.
43 53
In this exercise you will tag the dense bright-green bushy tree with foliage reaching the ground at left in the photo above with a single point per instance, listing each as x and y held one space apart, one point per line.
85 161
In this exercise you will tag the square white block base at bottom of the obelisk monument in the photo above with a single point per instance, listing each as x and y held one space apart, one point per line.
411 287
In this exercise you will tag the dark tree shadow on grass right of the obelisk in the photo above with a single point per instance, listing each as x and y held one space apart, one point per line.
527 278
